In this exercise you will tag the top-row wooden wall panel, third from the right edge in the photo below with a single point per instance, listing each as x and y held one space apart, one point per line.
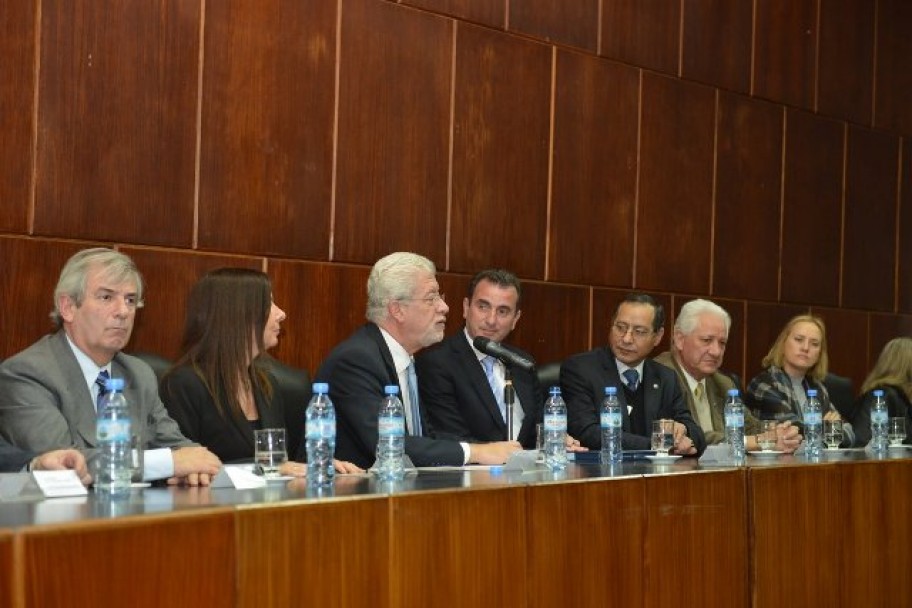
785 46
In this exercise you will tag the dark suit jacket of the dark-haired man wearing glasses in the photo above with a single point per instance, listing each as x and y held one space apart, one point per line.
583 381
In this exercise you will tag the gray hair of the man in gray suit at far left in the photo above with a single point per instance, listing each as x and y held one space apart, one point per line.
117 267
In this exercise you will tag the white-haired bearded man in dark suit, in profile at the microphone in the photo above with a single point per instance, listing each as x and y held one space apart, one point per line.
406 312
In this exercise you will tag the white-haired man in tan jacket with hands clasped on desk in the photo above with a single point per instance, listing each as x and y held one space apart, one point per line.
697 349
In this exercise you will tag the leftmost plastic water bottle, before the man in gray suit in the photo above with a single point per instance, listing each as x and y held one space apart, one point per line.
114 464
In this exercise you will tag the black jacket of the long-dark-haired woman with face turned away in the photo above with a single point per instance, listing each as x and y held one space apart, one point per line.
229 437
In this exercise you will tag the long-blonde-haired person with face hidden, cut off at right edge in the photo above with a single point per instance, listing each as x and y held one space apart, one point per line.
893 375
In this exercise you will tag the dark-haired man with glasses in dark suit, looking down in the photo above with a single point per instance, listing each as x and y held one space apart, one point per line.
649 391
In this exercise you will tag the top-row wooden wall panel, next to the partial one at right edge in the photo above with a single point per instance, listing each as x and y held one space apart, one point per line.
846 59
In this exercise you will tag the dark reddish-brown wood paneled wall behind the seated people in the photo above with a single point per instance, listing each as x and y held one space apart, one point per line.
753 151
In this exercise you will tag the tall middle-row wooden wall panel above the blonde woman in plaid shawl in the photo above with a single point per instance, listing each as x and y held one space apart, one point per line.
812 225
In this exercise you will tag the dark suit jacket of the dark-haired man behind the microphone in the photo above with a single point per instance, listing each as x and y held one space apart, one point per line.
458 401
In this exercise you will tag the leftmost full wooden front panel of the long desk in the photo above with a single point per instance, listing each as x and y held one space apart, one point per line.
185 561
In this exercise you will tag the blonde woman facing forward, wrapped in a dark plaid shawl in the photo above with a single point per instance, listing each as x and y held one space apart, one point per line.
795 363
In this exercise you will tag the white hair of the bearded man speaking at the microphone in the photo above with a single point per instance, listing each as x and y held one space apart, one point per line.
393 278
